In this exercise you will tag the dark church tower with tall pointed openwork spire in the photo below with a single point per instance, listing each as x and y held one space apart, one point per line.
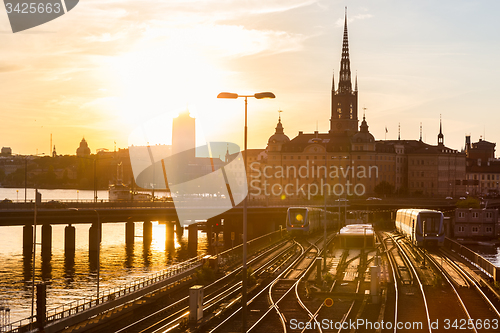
344 117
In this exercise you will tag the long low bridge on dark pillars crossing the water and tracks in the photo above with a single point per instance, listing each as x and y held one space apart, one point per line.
263 217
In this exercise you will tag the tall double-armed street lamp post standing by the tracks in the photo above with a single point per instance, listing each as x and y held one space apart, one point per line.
245 202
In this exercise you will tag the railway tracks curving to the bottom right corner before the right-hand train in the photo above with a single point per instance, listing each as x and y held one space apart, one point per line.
442 297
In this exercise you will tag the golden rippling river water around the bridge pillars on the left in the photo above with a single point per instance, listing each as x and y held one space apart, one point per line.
67 280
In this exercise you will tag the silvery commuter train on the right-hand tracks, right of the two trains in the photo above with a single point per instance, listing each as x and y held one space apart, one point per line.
411 222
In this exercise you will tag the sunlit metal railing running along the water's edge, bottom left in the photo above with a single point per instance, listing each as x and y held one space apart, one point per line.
105 296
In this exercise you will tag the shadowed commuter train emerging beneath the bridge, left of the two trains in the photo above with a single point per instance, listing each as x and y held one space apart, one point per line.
306 220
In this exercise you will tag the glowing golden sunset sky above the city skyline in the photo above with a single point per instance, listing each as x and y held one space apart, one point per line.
109 65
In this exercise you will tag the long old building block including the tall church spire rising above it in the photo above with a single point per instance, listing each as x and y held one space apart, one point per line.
349 161
